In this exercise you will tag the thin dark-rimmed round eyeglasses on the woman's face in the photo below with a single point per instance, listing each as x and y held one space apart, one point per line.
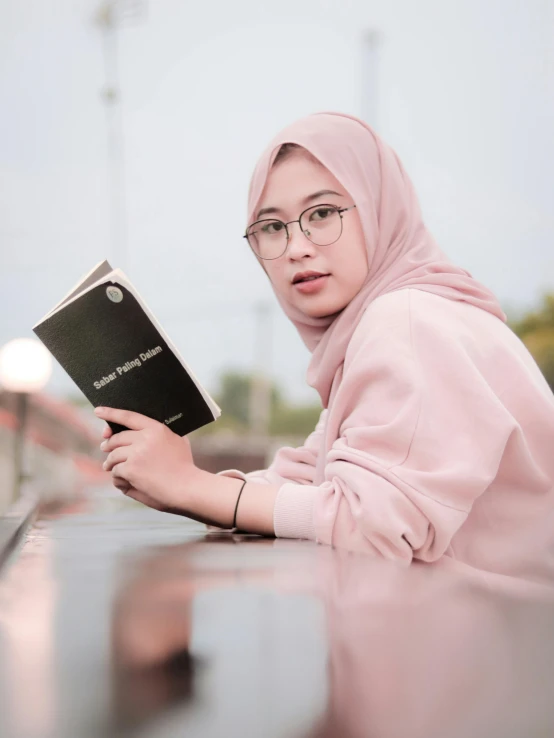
321 224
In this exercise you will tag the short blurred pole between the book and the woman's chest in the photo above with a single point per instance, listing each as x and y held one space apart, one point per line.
260 387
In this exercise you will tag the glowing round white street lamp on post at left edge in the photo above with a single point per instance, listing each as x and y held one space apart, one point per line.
25 368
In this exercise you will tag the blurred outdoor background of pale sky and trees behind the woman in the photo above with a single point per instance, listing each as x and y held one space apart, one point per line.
129 129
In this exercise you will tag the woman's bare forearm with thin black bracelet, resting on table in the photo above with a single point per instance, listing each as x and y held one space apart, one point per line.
212 500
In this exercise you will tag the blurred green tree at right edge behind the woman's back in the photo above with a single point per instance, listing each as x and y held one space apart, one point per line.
536 330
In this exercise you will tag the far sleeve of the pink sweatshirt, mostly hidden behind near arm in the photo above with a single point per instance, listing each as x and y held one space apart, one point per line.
295 465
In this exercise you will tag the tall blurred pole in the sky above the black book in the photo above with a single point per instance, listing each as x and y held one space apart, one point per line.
111 15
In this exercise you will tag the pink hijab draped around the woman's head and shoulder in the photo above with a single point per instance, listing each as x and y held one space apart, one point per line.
401 251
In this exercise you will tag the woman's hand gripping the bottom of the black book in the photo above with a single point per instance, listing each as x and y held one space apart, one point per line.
148 462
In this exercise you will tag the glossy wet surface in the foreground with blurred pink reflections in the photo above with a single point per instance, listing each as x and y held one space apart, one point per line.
119 621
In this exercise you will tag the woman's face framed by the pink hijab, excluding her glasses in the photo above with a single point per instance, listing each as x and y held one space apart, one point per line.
294 184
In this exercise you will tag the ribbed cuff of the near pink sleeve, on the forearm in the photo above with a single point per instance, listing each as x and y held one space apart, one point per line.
293 516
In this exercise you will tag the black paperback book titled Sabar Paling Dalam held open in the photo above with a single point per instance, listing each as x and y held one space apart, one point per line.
110 344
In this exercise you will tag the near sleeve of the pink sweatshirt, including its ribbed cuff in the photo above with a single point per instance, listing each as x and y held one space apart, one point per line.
421 437
